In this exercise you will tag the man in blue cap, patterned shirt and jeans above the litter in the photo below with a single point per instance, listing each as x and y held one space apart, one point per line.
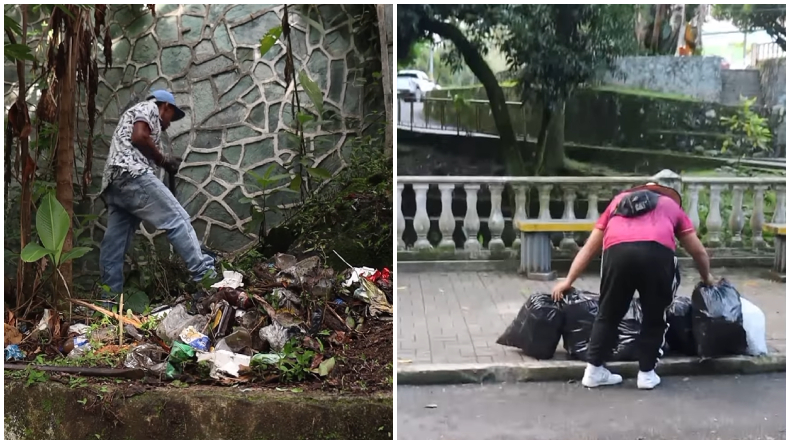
133 193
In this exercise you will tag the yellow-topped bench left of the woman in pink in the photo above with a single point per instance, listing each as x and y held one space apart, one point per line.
536 248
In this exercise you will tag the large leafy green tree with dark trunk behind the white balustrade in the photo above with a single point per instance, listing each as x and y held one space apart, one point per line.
553 49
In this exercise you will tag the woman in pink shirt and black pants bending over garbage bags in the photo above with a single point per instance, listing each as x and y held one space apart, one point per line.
637 233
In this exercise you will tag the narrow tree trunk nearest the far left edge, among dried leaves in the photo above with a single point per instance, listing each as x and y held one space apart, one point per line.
24 278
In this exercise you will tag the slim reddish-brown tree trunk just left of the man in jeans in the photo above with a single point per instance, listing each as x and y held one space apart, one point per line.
64 166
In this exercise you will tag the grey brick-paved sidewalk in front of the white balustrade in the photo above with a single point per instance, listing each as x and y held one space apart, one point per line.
456 318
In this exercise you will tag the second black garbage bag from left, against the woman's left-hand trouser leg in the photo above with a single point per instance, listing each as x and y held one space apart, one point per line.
580 309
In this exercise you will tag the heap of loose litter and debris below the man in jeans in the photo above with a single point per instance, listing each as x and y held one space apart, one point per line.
231 329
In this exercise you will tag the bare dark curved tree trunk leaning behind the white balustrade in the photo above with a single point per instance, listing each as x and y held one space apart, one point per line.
496 97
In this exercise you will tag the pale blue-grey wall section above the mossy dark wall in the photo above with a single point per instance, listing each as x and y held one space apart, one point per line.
698 77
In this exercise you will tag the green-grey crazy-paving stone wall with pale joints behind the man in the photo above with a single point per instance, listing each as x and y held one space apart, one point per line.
237 103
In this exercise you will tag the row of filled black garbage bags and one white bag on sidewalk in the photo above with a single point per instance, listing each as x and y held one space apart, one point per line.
716 321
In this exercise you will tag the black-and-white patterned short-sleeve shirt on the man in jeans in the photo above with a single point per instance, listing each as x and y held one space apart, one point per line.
125 157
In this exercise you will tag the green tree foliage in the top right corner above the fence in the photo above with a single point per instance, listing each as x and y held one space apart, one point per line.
748 18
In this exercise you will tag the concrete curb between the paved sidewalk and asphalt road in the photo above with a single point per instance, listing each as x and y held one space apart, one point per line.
542 371
